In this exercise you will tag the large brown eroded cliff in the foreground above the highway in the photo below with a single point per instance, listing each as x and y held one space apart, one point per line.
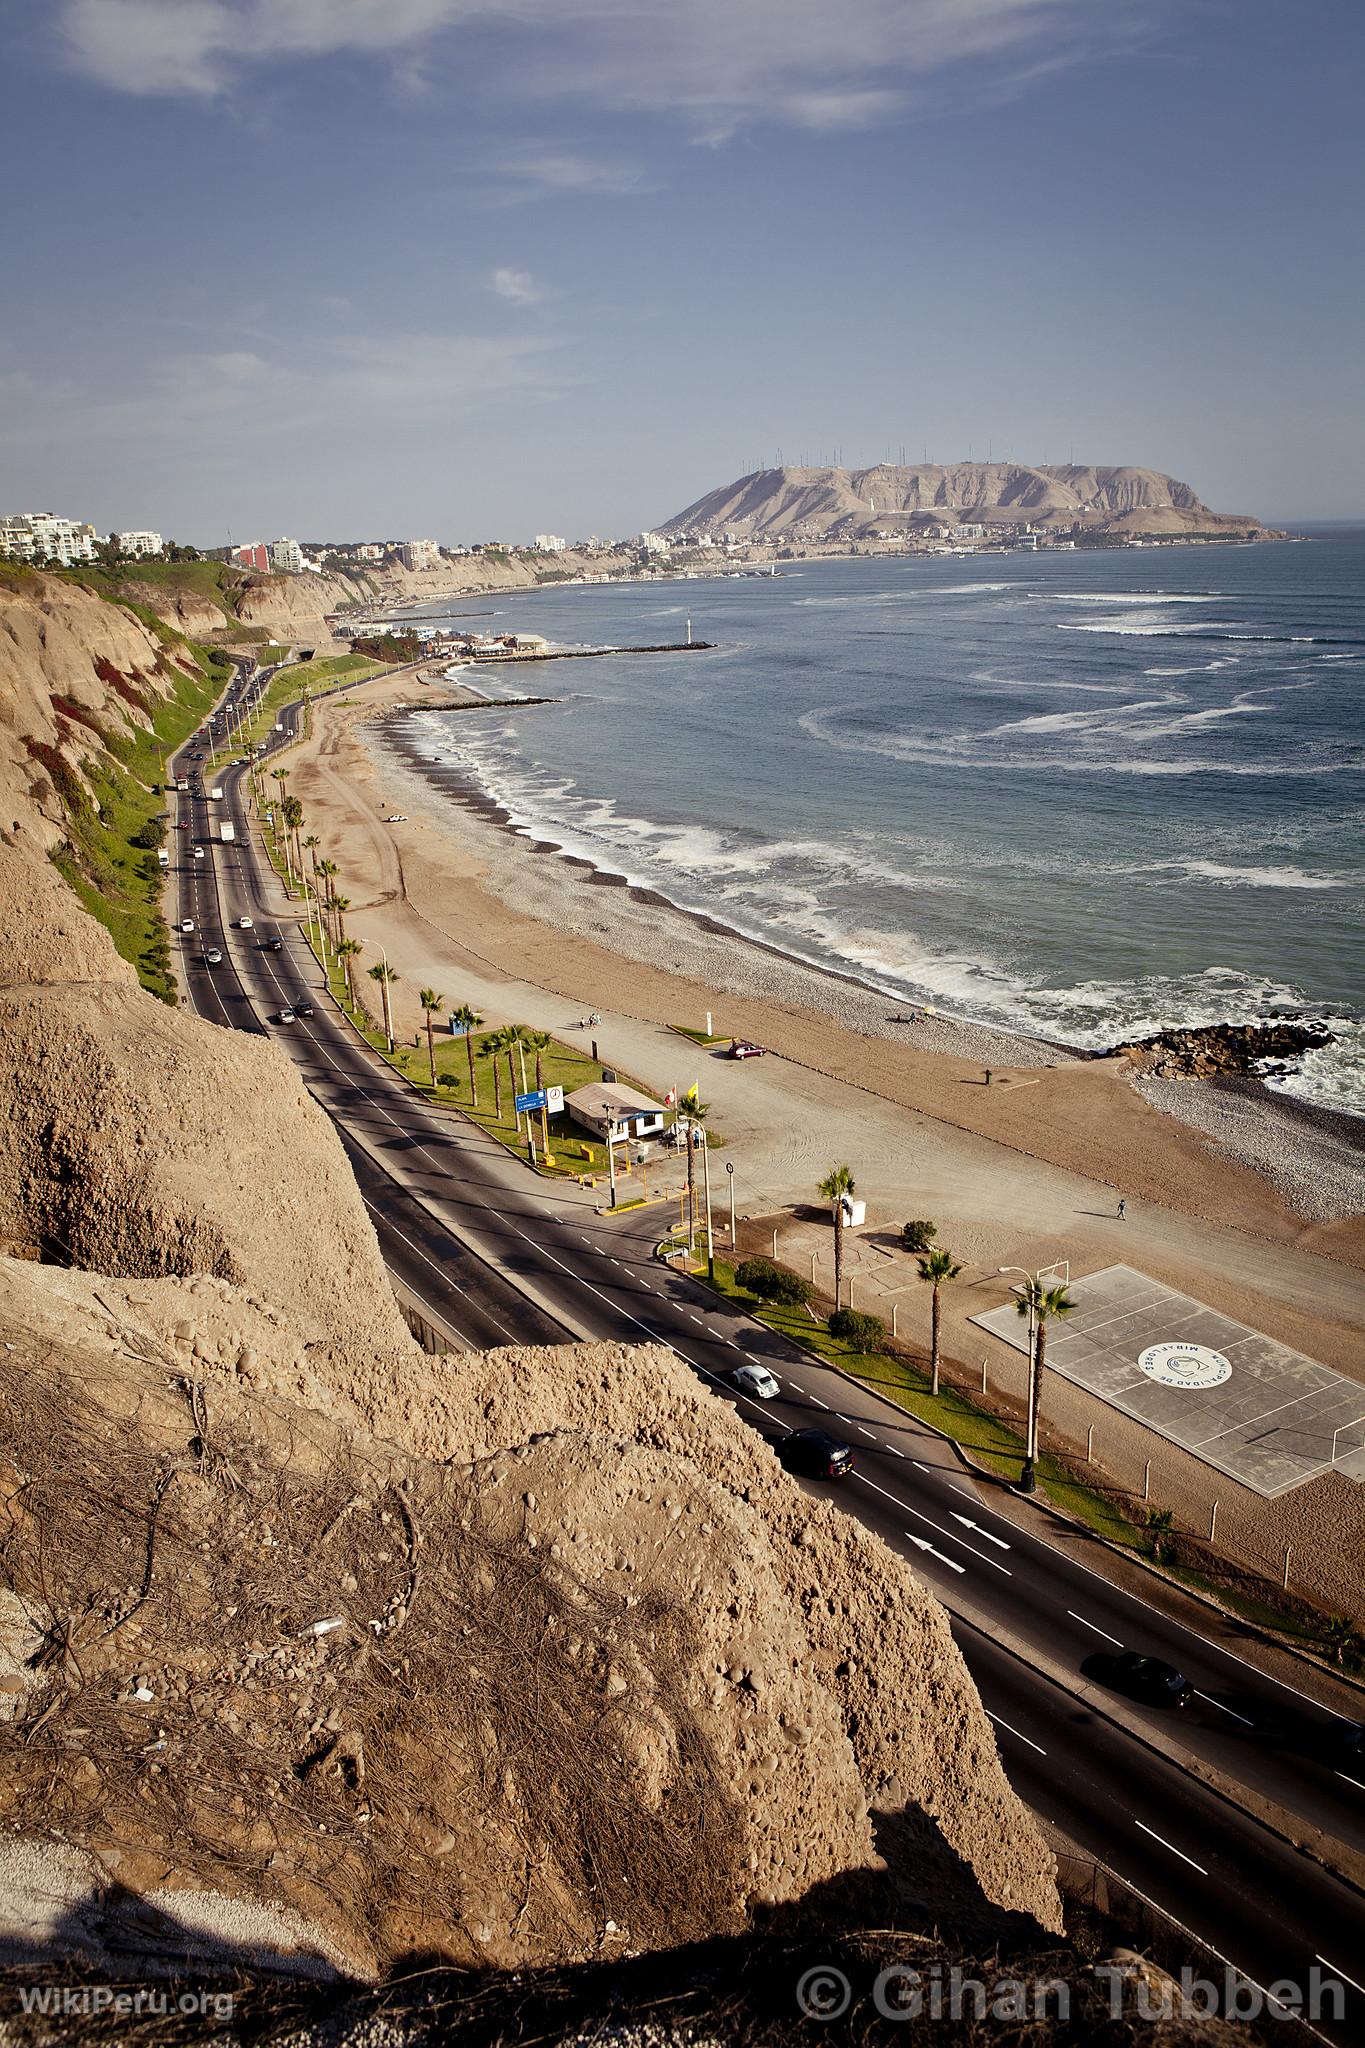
511 1658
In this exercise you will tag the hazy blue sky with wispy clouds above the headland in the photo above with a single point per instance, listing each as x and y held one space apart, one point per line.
482 269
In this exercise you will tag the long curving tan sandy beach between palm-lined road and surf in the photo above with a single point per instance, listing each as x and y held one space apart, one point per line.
1022 1170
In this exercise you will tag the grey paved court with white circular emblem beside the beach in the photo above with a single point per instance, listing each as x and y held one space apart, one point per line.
1235 1398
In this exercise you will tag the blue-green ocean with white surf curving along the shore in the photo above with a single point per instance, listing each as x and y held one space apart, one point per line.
1080 796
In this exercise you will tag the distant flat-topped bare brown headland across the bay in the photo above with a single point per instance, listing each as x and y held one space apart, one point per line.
856 505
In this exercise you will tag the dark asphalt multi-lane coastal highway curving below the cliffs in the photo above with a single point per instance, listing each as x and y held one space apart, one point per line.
500 1256
